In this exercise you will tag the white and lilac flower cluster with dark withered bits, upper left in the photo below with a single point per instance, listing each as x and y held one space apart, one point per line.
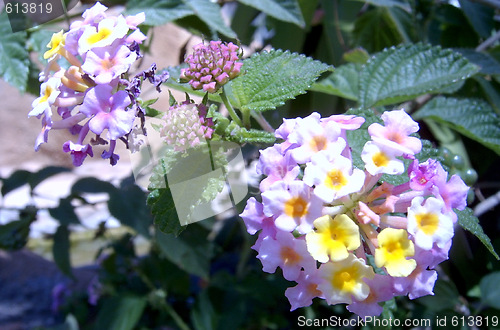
88 91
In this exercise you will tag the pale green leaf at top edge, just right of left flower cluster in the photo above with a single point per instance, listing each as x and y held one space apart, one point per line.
159 12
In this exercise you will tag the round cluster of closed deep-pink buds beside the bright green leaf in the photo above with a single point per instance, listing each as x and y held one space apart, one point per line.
212 66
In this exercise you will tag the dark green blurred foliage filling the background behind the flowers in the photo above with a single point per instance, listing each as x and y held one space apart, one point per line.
208 277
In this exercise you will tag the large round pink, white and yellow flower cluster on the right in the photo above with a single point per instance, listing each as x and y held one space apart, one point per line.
339 230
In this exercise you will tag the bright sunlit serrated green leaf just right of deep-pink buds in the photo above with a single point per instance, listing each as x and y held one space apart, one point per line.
271 78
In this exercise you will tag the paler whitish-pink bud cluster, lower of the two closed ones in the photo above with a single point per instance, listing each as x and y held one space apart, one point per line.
186 125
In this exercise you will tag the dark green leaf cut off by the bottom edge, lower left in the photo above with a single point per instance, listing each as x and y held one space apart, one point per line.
120 312
